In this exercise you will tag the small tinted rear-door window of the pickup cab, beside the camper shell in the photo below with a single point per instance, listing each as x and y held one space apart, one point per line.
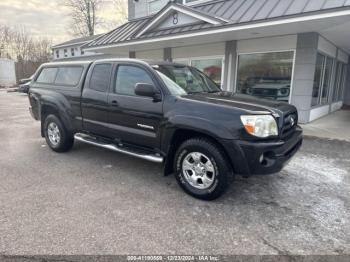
100 77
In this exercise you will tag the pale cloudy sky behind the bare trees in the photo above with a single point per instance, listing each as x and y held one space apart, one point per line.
46 18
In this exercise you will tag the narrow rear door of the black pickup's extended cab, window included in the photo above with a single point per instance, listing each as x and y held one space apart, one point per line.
94 101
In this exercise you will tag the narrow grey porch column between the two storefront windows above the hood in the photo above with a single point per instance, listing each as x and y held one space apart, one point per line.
230 65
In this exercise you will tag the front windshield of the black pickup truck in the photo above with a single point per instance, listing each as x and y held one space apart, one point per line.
189 79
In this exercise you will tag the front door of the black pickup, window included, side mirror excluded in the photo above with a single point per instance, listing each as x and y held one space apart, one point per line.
134 119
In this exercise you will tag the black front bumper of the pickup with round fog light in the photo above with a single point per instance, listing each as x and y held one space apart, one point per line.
260 158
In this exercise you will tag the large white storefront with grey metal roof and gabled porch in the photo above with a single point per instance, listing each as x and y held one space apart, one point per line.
292 50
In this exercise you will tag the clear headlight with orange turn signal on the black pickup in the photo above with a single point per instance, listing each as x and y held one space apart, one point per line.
260 125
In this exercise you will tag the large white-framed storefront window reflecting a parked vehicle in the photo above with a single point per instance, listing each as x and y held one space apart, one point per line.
265 75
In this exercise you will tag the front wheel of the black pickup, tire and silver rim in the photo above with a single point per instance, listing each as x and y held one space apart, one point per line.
202 169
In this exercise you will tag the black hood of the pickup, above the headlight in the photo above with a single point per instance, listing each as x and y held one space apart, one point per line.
243 102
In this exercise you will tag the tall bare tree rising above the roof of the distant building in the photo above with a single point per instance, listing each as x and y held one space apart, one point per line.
84 14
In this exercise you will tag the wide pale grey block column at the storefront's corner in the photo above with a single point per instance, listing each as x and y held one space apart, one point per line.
304 72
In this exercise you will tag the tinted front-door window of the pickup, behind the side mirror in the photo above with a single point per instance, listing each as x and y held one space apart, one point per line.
128 77
